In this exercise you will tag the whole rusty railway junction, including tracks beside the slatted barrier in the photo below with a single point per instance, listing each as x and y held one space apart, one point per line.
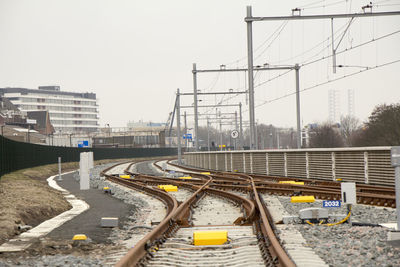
250 229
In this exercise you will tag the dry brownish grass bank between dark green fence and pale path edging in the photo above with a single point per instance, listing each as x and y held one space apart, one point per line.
26 198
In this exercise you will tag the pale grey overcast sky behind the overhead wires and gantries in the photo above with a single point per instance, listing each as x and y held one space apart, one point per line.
135 54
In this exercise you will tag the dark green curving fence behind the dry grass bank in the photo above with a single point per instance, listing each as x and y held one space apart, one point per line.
18 155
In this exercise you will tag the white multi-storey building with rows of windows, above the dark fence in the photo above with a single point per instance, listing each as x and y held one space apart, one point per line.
68 112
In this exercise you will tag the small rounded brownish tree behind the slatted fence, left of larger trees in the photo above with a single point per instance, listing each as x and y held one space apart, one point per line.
325 135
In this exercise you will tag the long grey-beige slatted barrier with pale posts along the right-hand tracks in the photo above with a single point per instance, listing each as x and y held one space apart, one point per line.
370 165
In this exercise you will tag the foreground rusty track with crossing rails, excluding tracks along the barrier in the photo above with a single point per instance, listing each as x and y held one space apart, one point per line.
244 219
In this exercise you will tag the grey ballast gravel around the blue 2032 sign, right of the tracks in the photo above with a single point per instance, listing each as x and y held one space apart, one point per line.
344 245
